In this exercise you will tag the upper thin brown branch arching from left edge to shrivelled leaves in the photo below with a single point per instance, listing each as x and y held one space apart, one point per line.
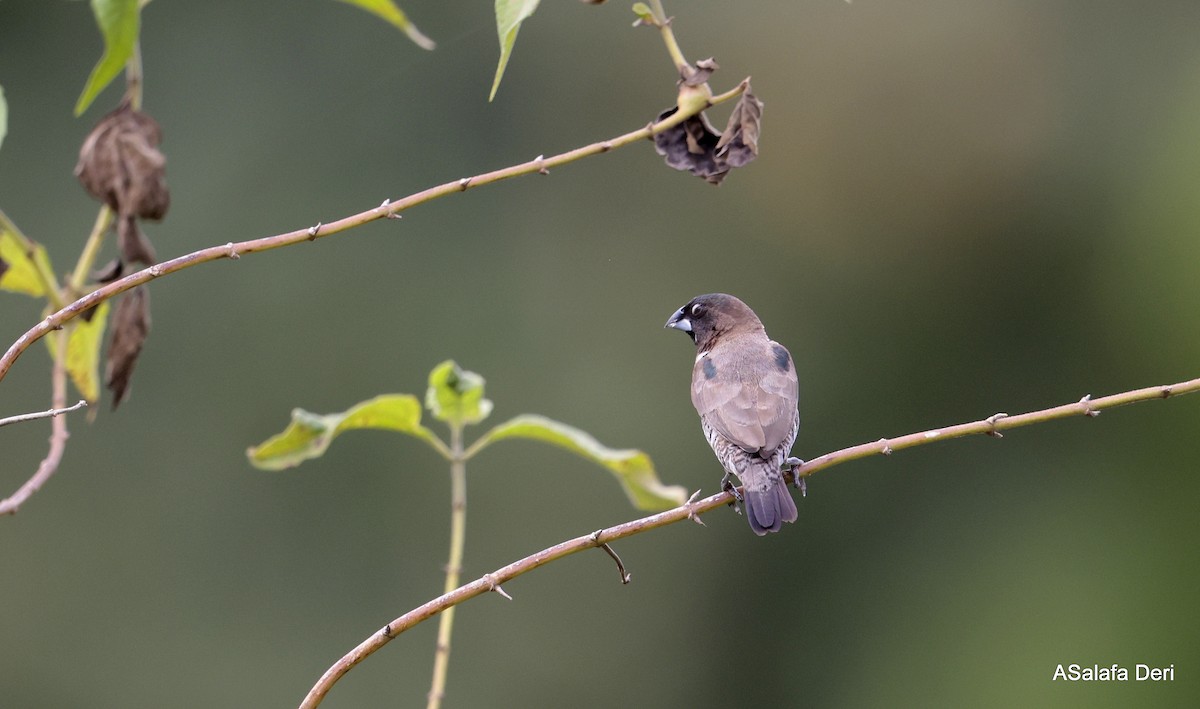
389 209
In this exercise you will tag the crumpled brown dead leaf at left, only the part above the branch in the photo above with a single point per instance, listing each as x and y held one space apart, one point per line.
122 166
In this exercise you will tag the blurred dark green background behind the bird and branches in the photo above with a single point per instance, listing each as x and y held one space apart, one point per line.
959 209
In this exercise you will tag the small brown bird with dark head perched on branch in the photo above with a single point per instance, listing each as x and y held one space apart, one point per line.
746 390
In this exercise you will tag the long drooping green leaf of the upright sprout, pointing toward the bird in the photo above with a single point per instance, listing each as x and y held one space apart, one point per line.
633 468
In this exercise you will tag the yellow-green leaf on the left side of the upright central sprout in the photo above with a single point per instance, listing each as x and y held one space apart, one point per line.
310 435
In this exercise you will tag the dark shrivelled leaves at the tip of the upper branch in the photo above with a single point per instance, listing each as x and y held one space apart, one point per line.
697 147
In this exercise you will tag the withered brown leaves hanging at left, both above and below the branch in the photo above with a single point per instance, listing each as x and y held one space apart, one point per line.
122 166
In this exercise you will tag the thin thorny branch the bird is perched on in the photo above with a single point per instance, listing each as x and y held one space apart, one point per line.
693 509
